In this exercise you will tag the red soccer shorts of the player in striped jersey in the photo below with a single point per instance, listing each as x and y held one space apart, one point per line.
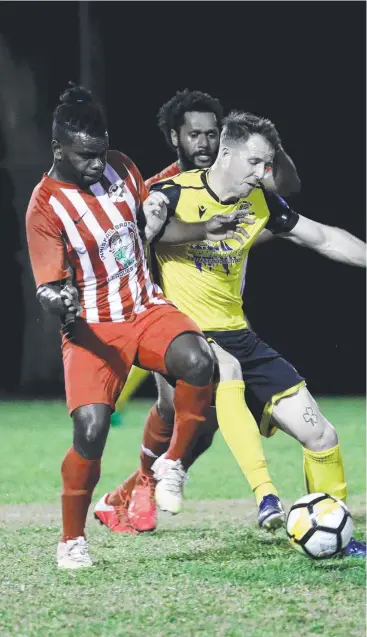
98 360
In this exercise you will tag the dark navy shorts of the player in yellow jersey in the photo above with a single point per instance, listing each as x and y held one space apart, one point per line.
264 371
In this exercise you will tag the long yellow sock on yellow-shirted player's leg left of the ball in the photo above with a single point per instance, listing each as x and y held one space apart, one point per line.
242 436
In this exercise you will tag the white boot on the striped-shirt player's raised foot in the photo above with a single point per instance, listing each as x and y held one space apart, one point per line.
171 478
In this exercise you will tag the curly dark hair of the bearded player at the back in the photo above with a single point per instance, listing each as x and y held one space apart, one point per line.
171 114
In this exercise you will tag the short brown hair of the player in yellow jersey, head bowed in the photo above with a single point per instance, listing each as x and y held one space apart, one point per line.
239 125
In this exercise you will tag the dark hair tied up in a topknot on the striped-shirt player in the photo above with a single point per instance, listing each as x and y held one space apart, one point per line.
78 113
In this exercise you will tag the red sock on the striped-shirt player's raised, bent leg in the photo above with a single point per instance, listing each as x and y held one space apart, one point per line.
191 405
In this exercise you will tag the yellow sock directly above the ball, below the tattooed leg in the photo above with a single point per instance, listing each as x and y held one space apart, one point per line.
324 472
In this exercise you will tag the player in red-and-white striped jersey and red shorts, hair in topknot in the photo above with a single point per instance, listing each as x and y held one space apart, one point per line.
87 216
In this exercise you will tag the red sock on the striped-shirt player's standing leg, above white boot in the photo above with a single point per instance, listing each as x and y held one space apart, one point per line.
79 478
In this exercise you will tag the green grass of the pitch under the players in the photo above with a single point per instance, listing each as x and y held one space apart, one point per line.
207 572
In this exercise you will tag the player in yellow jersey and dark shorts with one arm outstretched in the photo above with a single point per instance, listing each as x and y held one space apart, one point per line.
203 279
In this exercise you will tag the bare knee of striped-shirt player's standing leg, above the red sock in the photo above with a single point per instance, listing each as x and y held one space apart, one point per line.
91 426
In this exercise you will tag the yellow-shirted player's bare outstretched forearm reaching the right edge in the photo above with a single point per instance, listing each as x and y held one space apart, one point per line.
334 243
